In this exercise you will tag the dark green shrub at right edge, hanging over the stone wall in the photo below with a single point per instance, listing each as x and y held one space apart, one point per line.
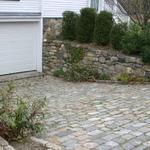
146 54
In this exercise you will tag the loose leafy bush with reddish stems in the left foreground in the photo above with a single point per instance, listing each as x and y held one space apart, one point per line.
19 119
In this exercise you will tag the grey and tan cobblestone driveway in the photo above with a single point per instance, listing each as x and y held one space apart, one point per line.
93 116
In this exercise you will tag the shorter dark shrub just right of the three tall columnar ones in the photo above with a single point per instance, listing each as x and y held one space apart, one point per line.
117 33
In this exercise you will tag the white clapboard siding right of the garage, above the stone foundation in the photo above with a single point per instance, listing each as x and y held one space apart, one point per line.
55 8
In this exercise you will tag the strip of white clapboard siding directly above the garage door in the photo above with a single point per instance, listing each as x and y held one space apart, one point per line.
20 6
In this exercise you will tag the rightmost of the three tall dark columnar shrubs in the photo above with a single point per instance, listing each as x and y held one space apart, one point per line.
103 25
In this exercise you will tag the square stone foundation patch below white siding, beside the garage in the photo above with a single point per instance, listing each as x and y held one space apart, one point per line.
52 28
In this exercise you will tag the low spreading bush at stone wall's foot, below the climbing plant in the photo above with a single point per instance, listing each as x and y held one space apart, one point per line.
79 73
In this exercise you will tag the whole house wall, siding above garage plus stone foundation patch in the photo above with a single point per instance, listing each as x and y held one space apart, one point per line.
51 11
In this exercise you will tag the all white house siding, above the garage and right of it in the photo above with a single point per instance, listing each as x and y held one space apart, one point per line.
49 8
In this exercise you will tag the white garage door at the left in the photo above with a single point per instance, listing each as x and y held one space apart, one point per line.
18 46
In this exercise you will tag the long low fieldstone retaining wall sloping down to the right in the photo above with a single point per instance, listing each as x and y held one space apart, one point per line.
105 60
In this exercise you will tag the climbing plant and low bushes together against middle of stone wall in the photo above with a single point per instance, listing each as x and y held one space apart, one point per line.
75 70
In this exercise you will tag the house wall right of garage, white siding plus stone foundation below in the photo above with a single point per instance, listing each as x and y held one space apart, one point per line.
52 11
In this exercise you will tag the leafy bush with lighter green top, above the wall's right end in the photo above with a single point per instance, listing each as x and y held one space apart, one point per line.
131 41
